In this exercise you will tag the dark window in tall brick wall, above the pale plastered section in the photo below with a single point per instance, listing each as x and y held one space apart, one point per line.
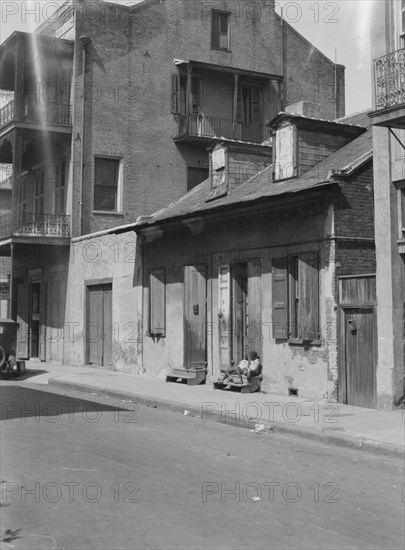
106 184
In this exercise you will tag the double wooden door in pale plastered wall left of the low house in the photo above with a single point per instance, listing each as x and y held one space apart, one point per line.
99 325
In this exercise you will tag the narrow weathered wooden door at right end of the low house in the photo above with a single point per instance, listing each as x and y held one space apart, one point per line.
360 356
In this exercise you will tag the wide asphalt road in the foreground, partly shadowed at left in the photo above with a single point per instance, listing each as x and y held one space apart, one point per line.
93 474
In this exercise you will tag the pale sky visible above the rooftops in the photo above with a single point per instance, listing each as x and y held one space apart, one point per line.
336 27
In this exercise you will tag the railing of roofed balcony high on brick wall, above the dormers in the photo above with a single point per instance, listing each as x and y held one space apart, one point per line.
207 126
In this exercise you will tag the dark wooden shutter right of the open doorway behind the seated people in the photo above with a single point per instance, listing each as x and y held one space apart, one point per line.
254 307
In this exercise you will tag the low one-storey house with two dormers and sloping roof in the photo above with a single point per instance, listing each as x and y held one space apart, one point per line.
282 264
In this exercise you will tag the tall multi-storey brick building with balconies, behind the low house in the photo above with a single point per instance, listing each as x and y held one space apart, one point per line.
119 129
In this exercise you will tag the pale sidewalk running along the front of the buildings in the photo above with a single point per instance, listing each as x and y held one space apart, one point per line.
377 431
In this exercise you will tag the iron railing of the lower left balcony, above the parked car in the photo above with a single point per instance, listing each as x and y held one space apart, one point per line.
34 224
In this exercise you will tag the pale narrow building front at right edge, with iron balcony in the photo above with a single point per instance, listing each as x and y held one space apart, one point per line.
388 119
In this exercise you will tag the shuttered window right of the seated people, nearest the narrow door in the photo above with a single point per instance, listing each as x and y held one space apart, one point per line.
296 298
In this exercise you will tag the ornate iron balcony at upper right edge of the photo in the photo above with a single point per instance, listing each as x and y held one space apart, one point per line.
389 79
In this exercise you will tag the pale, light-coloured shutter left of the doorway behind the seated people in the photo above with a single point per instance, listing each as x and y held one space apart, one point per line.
224 317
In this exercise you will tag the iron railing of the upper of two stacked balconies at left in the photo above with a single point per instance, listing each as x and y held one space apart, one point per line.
52 114
